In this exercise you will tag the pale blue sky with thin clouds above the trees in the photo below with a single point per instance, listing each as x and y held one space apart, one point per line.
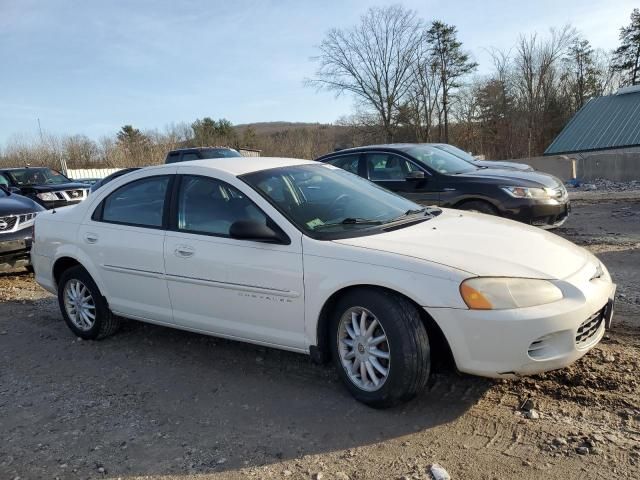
89 67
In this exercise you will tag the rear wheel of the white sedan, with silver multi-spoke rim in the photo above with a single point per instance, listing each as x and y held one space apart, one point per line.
76 282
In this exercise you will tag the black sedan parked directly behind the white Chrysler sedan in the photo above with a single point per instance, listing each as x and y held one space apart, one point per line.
429 175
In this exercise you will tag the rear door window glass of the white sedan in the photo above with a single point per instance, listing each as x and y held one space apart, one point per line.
139 203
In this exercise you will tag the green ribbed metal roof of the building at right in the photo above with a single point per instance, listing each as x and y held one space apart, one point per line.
603 123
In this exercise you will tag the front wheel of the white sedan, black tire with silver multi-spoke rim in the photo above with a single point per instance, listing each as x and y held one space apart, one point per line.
406 346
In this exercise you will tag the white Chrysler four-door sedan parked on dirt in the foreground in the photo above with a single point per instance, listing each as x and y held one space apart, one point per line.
307 257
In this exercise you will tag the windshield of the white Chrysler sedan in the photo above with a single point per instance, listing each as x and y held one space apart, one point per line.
328 202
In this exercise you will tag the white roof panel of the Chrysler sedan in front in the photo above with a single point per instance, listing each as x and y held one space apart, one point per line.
240 165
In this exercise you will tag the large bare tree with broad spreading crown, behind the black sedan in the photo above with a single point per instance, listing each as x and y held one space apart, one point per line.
372 61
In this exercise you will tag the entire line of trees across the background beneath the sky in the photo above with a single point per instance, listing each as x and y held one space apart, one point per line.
412 81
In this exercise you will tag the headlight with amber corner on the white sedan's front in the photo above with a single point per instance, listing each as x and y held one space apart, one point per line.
489 293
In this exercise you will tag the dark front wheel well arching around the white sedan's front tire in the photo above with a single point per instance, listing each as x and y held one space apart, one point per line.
438 342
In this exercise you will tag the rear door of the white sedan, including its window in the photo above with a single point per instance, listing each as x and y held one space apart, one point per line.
125 239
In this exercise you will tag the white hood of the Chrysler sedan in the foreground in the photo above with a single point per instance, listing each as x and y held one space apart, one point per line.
481 245
